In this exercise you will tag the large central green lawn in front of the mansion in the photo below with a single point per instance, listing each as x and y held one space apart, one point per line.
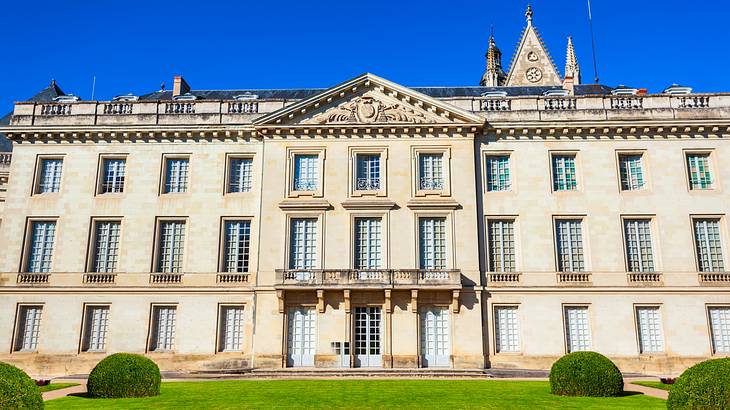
359 394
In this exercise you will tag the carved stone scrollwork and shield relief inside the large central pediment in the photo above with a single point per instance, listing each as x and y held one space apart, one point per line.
367 110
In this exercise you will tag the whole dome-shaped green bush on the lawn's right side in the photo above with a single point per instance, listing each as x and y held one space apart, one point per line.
586 374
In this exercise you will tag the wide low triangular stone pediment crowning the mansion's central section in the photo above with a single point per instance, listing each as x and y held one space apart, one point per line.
369 100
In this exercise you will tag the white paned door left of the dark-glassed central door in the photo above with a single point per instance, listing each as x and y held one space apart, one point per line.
300 349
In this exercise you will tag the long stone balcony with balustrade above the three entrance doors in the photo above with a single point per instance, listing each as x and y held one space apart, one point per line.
376 279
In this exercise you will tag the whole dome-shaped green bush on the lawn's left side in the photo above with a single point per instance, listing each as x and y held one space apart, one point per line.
124 375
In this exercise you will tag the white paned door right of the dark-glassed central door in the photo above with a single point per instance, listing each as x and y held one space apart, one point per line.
435 344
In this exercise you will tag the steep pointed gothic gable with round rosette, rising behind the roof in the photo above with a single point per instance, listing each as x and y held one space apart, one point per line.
532 64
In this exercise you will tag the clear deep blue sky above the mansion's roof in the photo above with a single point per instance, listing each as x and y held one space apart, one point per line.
133 46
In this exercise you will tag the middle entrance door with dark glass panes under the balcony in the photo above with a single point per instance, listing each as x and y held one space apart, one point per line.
367 337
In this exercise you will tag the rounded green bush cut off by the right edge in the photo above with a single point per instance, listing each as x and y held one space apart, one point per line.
705 385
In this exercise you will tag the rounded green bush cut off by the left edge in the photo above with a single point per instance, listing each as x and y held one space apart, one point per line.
17 390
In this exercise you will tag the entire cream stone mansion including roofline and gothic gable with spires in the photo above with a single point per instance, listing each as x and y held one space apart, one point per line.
370 225
